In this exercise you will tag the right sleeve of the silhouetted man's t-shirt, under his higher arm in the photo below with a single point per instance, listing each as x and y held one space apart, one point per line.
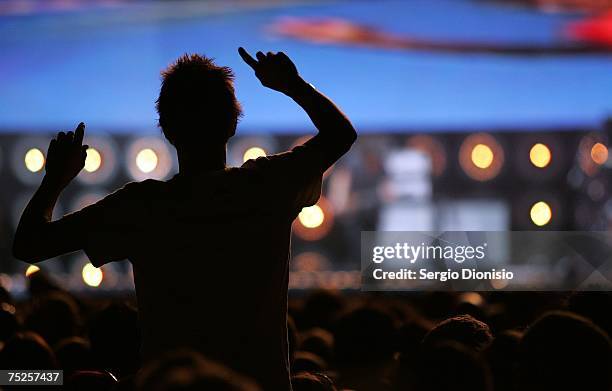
295 175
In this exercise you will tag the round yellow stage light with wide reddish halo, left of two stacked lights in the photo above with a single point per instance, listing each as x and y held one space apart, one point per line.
481 156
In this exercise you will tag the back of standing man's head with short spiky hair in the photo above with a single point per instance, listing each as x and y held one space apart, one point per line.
196 102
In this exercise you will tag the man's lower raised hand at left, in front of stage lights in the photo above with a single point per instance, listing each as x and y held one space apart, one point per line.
66 156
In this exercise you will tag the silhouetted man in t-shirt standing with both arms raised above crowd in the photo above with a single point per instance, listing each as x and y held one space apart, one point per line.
209 247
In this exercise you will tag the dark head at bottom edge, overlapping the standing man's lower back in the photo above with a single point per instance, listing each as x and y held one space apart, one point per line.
186 370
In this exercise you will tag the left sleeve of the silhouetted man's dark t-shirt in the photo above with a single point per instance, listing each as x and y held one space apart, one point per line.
109 226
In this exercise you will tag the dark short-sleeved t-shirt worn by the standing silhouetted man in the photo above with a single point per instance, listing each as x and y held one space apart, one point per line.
210 257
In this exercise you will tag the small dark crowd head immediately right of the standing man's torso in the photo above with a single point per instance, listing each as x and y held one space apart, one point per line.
320 309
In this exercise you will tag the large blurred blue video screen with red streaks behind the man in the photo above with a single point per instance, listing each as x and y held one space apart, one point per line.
393 66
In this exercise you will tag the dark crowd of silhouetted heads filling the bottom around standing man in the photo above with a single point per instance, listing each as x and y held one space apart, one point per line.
338 341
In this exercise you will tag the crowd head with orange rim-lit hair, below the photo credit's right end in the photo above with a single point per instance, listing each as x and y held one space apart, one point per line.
464 329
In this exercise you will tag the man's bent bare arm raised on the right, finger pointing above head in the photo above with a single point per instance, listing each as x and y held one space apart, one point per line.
336 133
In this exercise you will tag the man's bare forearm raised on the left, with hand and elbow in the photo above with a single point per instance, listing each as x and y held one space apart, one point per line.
37 237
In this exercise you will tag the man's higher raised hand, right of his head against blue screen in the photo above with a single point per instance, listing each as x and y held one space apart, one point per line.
274 70
